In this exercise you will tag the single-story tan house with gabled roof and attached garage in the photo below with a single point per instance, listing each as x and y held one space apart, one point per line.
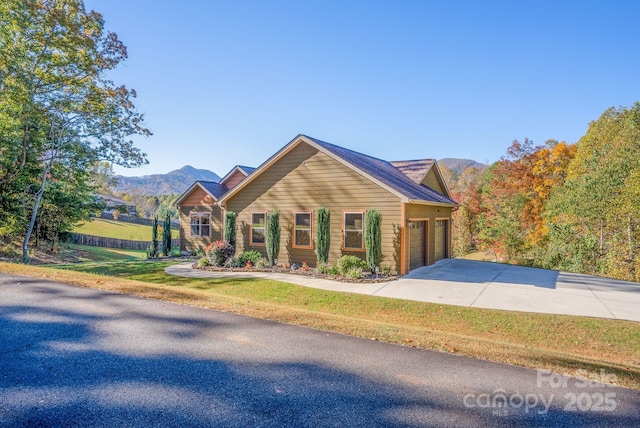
307 174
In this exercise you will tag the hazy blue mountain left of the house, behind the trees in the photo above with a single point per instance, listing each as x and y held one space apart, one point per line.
176 181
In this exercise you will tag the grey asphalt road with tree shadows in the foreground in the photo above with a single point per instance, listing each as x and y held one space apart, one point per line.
71 356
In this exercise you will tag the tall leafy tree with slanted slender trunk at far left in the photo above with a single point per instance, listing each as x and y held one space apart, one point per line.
57 106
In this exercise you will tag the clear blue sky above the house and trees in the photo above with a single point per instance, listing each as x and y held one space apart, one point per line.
230 82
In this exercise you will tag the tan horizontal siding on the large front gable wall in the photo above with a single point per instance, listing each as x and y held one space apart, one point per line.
305 180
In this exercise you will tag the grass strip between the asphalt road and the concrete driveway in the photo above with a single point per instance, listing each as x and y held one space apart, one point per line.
560 343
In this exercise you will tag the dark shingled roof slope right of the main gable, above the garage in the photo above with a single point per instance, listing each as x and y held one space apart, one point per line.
386 173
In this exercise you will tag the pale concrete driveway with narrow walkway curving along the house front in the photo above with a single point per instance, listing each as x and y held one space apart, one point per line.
481 285
